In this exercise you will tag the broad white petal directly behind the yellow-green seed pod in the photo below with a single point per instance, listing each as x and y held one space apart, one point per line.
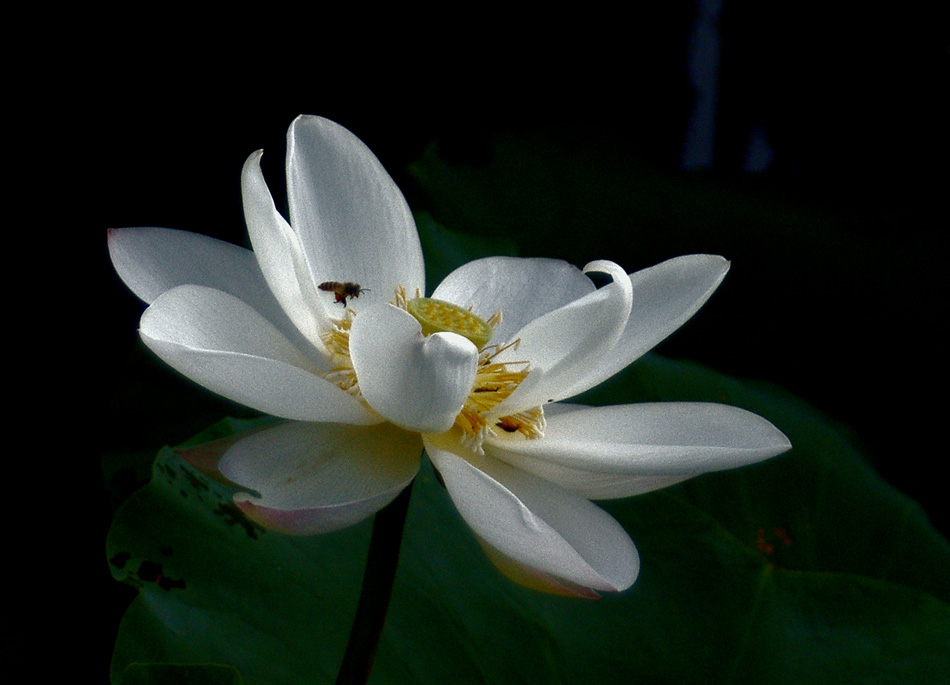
522 289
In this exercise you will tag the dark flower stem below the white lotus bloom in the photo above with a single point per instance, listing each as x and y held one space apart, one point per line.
377 587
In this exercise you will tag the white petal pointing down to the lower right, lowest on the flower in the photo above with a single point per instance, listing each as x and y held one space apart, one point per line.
535 523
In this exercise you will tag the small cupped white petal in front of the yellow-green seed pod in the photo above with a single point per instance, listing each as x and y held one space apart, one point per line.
417 382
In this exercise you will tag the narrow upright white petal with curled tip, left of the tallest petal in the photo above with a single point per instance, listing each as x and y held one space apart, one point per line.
281 257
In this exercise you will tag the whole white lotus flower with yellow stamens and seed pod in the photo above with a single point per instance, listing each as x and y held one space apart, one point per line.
370 381
